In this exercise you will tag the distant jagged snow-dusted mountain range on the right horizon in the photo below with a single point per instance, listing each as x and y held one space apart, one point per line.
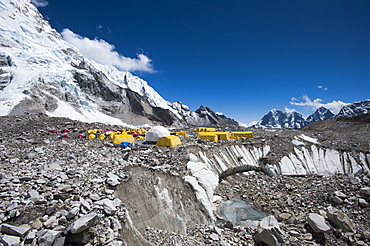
293 119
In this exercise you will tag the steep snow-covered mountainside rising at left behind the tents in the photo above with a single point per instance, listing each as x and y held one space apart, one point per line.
41 73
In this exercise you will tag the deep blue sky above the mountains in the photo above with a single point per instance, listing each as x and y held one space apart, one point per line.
239 57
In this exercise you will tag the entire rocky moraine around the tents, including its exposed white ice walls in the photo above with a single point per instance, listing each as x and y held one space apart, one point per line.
59 191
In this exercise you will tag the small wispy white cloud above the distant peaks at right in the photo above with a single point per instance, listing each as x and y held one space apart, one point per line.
335 106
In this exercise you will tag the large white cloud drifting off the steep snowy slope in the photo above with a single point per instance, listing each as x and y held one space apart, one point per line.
102 52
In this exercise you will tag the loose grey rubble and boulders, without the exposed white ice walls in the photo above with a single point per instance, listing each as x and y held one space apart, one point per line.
59 191
